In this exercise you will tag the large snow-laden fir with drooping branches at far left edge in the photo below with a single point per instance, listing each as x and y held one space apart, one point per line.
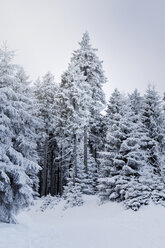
18 158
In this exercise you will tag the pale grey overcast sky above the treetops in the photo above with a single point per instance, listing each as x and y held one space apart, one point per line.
129 35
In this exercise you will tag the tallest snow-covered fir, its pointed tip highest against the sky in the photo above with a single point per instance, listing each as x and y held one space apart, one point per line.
89 64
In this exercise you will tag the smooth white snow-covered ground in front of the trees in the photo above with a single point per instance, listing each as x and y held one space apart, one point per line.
89 226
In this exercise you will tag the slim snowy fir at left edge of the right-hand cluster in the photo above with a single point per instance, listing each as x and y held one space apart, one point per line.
114 137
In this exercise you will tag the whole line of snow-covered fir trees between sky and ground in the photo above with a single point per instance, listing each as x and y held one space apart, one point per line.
55 140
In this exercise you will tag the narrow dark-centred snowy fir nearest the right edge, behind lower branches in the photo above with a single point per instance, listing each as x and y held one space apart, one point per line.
152 119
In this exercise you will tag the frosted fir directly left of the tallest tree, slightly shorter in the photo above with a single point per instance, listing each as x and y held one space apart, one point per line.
74 116
